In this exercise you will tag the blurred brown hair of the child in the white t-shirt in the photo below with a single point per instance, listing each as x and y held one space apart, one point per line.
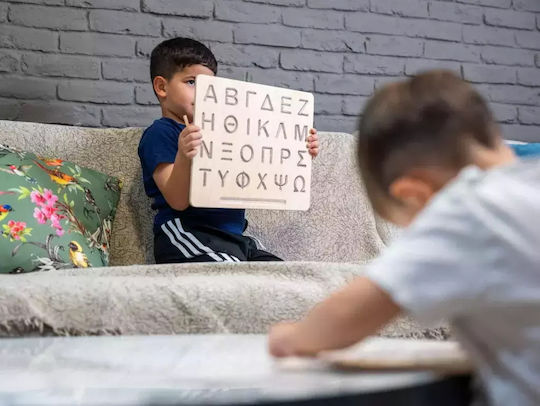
424 121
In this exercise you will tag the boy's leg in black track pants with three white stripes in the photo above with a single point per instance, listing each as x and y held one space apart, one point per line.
176 243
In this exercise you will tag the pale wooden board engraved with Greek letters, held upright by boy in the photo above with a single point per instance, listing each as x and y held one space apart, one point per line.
254 146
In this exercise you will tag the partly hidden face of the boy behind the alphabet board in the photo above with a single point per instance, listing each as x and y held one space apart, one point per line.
177 95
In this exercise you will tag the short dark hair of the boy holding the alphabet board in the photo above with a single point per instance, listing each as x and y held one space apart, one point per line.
175 54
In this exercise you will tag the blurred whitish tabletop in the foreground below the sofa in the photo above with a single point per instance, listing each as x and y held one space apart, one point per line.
181 369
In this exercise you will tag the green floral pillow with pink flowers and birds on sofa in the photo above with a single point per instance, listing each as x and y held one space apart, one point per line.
53 214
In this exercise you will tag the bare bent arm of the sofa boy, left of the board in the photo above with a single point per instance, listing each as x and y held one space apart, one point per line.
173 180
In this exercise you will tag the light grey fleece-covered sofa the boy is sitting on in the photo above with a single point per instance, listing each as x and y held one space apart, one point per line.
323 248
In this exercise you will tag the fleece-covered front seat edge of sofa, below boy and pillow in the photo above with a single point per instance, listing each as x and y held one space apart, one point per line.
173 299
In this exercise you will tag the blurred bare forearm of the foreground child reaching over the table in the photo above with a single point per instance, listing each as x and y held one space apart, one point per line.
345 318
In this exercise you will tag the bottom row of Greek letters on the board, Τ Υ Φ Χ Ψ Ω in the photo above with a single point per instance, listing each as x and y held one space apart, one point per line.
263 180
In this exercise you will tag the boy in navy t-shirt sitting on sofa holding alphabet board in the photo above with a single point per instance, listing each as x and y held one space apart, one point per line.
183 233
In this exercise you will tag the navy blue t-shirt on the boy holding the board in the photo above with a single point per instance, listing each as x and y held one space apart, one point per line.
159 144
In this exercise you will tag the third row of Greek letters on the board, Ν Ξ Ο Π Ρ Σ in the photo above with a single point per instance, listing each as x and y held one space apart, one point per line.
248 153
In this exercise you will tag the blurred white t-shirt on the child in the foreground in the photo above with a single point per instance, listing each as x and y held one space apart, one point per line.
473 257
